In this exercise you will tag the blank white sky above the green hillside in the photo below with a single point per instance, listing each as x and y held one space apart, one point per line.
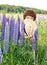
39 4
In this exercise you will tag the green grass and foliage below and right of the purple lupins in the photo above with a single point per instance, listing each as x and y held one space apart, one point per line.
23 55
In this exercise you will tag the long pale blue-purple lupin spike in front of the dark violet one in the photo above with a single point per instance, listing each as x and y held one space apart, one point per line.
6 38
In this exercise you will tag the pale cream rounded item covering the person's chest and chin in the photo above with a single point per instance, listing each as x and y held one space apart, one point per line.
30 26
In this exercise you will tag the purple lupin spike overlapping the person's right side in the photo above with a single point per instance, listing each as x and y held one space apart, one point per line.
35 38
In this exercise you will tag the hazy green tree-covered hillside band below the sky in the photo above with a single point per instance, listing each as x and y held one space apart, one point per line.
20 9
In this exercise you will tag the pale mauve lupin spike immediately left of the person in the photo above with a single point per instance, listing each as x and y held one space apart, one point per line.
21 38
